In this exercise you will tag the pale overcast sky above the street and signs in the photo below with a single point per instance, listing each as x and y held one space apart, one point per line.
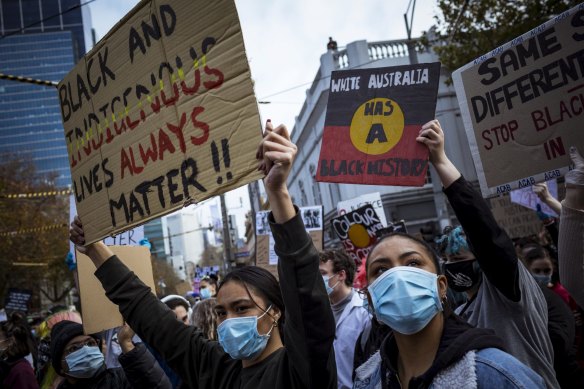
284 39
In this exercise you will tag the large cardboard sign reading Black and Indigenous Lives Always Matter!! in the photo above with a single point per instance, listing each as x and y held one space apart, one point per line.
160 114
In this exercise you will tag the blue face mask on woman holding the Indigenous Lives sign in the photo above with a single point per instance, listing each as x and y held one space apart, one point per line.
240 339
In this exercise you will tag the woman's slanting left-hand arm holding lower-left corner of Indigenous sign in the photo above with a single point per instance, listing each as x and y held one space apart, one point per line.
184 348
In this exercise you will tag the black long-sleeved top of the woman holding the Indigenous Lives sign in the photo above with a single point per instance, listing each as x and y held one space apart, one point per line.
307 361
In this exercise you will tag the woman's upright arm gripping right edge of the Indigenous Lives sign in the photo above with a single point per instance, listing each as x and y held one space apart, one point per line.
310 327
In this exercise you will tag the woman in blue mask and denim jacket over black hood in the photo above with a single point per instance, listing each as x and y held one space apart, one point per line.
429 346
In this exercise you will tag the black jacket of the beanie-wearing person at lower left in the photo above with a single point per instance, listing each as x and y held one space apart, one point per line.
139 370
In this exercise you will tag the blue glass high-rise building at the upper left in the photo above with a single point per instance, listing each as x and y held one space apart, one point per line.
40 40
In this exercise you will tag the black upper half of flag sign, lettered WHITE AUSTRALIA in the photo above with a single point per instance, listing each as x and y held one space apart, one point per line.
413 87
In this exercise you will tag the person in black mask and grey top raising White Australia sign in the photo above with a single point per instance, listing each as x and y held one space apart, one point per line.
481 261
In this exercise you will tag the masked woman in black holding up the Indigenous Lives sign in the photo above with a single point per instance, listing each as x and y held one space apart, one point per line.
271 335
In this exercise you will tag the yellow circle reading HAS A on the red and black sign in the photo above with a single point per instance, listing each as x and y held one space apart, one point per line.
377 126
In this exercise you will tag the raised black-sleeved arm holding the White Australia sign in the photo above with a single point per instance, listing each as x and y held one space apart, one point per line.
491 245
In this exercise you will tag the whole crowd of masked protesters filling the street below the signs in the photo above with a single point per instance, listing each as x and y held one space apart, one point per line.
473 309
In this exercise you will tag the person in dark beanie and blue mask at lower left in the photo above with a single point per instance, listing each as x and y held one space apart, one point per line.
78 358
